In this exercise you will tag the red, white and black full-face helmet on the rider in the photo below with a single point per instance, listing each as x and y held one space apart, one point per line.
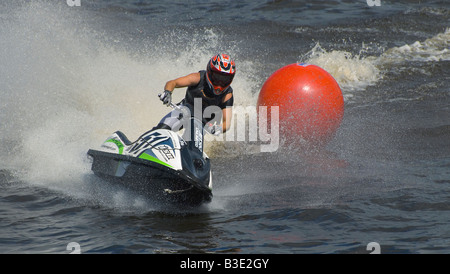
220 72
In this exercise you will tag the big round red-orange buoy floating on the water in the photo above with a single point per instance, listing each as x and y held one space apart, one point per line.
311 105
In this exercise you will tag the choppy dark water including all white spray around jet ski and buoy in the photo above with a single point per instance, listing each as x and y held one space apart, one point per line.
69 76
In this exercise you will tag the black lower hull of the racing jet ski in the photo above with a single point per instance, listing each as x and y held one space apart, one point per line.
151 179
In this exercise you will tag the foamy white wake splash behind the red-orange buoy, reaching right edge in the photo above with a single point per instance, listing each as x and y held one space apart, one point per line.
358 71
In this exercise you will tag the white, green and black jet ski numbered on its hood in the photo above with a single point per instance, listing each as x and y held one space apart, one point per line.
160 164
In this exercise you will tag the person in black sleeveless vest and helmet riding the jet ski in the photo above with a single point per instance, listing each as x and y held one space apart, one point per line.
212 86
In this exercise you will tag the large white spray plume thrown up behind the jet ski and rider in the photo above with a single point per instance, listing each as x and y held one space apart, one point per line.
63 89
